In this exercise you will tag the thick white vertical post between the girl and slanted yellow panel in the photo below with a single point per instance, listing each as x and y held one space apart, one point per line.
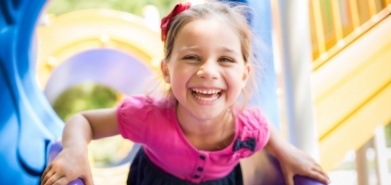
293 57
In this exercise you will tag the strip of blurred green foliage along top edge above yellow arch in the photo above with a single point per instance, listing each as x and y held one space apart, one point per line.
132 6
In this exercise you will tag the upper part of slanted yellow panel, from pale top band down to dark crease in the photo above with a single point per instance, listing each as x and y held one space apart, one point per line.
351 77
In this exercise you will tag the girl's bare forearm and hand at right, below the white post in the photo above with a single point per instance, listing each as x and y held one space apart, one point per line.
292 160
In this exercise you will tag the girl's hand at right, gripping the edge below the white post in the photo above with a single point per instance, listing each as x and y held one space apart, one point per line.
296 162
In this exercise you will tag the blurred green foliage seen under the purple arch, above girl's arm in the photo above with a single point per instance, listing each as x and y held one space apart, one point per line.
84 97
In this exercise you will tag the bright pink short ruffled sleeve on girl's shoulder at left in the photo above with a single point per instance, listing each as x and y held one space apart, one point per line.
134 117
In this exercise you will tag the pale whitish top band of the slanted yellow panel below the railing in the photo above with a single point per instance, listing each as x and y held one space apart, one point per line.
326 78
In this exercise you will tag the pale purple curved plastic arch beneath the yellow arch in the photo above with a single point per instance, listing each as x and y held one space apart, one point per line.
112 68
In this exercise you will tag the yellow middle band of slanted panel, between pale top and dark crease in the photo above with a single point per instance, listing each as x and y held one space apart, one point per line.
353 91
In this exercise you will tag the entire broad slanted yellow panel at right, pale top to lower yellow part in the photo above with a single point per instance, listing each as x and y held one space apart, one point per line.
352 94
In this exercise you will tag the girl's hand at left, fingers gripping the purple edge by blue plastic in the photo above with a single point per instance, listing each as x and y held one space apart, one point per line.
69 165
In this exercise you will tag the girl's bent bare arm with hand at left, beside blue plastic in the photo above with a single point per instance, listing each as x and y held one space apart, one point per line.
72 162
